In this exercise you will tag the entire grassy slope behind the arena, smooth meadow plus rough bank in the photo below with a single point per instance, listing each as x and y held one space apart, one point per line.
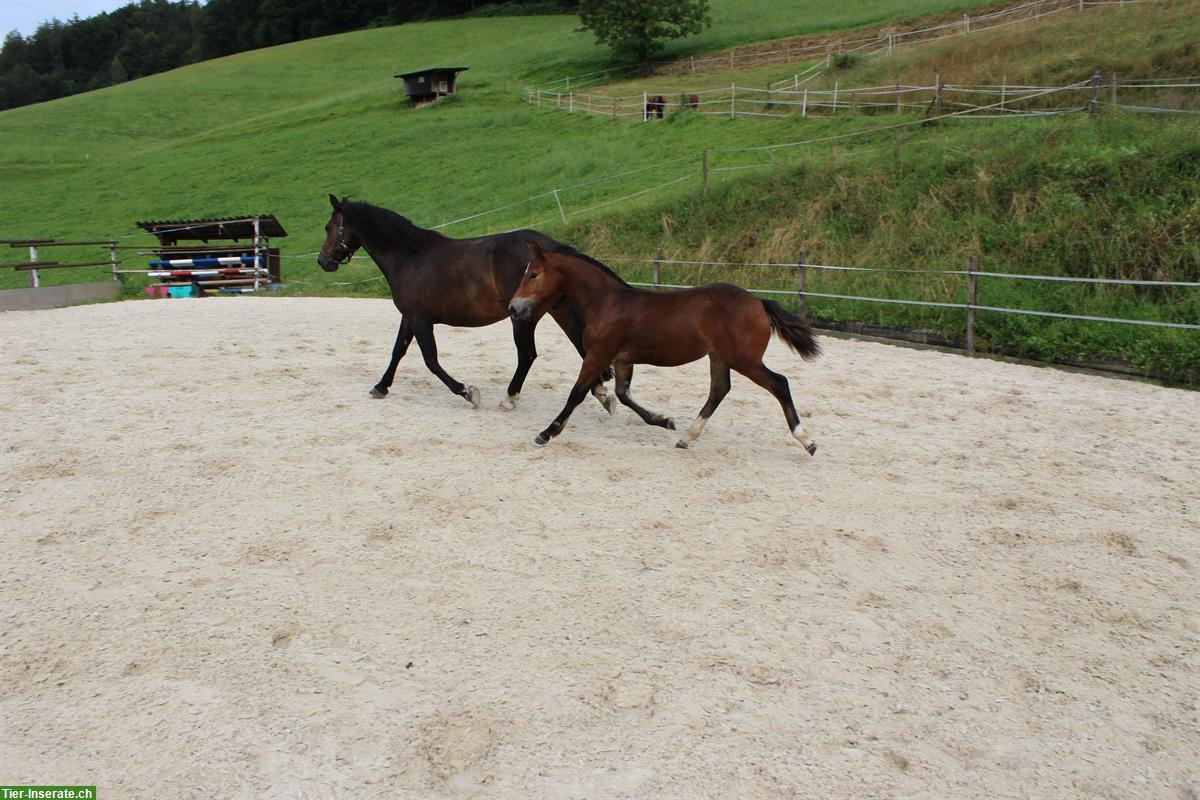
278 130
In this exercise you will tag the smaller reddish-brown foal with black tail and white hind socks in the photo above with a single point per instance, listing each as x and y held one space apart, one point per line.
668 329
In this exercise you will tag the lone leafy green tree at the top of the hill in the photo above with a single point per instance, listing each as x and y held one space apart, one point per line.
633 28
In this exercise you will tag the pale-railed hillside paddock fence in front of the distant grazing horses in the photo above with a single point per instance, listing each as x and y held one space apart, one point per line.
791 98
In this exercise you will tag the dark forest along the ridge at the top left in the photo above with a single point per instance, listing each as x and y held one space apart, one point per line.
141 39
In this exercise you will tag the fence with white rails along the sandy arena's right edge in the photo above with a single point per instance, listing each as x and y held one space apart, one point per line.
973 275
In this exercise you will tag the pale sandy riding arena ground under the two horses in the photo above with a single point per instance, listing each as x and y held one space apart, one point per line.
229 573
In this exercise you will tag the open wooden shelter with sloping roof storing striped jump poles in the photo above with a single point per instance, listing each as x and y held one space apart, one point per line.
230 255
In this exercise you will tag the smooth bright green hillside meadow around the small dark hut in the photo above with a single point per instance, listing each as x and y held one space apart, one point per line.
278 129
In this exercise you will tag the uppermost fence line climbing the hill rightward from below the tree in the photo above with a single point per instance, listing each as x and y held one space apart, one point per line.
885 44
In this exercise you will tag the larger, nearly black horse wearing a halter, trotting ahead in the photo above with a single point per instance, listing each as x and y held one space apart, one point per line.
441 281
